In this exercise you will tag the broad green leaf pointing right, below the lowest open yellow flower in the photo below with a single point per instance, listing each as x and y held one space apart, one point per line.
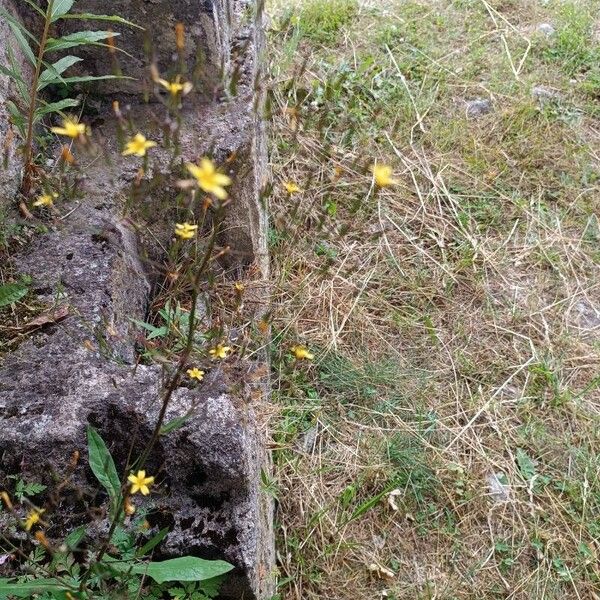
186 568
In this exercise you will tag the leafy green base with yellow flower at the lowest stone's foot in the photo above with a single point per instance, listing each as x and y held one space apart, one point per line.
114 567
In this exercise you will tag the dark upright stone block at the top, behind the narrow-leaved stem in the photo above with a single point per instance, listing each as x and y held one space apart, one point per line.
209 27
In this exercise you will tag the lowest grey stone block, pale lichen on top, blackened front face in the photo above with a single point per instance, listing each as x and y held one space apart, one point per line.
207 471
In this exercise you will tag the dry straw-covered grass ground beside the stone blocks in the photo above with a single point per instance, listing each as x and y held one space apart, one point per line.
455 316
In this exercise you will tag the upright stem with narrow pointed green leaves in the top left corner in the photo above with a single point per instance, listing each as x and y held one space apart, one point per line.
29 108
